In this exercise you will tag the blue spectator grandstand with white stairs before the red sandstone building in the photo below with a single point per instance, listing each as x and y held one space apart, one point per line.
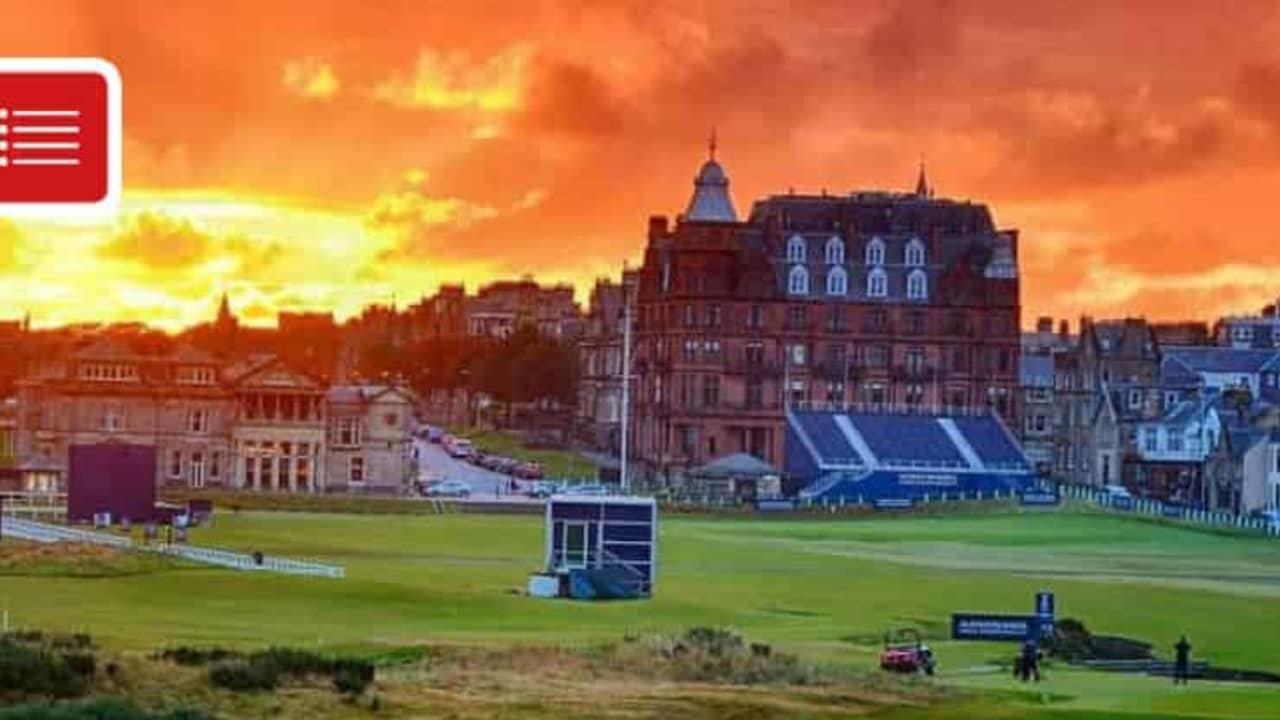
870 457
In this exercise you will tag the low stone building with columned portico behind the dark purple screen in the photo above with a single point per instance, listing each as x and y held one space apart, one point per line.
255 425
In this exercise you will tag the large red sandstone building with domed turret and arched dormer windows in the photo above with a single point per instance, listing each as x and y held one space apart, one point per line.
893 300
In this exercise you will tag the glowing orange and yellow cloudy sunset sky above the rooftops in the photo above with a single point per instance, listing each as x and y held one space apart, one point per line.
319 156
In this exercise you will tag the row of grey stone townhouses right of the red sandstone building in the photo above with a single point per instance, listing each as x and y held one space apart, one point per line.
1195 425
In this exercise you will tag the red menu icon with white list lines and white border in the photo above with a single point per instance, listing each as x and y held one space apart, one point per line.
60 135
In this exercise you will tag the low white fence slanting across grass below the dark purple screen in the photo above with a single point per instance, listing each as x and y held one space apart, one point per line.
44 532
